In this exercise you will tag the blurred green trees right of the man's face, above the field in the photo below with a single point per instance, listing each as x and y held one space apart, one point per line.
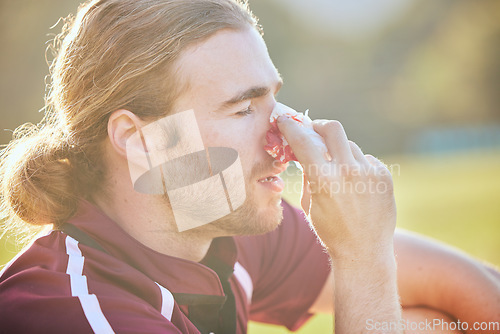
437 63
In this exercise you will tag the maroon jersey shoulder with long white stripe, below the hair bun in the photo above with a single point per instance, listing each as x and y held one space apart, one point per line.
58 286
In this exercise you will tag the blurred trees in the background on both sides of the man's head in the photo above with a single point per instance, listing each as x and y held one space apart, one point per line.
438 62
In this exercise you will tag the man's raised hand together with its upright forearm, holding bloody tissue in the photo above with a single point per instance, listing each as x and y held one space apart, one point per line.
353 211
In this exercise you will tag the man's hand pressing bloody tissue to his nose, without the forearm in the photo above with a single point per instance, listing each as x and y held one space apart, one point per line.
352 204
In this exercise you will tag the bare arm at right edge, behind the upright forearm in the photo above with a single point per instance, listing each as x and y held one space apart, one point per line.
438 276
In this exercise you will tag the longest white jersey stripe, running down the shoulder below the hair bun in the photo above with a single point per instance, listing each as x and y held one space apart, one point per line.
79 288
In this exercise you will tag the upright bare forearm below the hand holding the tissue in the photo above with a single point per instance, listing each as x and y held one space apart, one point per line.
366 297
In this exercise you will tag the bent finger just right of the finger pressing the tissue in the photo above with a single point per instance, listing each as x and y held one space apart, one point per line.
336 140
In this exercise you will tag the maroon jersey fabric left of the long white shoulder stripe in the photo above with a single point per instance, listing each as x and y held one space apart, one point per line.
34 286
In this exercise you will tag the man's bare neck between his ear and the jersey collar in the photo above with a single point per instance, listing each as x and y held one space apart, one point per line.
147 218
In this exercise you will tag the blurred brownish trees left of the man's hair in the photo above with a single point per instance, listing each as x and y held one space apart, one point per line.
24 32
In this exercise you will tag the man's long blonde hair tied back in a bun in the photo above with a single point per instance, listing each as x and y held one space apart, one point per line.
114 54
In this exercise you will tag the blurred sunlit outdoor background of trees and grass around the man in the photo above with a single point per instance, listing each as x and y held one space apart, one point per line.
415 82
